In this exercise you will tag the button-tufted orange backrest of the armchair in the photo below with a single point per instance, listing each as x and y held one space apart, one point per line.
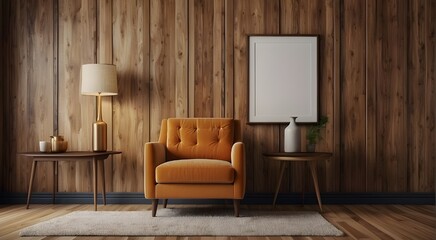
208 138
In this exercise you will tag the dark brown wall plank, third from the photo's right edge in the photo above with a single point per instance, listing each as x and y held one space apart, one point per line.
353 102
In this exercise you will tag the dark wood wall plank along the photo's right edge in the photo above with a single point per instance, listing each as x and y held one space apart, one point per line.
421 100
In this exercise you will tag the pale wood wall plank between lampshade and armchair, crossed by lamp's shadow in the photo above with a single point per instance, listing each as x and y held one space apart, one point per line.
130 114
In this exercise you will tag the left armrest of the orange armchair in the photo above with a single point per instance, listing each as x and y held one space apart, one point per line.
154 155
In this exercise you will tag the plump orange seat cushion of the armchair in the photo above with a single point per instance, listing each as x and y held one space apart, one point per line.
195 171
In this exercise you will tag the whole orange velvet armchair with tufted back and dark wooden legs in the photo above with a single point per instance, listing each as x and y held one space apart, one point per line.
195 158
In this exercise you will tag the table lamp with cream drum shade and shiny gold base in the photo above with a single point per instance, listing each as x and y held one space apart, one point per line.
99 80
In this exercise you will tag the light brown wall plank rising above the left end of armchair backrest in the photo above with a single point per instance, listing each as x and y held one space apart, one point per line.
162 80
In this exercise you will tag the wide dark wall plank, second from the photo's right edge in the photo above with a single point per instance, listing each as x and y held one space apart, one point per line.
388 119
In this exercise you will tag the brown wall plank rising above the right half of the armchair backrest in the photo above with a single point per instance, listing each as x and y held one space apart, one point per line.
208 84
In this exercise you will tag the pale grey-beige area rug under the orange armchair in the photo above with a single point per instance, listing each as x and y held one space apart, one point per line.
185 222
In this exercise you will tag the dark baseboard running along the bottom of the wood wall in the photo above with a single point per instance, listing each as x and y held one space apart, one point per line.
250 198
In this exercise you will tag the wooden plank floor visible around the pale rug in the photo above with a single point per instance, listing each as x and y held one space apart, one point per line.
356 221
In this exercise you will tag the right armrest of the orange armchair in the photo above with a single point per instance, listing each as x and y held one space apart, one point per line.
238 162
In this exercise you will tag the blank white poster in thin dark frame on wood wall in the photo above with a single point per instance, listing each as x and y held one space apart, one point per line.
283 78
